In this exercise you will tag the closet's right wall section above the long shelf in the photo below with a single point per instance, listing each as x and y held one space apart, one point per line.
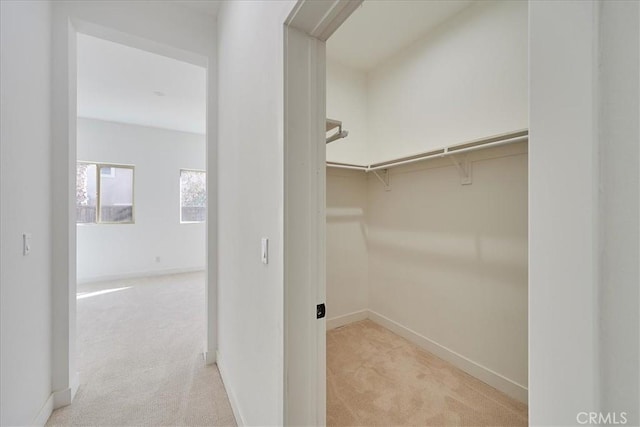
466 79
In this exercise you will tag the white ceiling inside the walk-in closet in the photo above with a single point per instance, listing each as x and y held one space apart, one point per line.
379 28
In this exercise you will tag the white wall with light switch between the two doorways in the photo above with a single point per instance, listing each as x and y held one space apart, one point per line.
251 117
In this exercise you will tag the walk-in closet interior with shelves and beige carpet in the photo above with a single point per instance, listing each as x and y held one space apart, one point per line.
427 200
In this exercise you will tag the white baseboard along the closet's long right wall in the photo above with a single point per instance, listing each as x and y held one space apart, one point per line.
494 379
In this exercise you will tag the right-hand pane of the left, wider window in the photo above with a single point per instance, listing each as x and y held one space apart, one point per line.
116 194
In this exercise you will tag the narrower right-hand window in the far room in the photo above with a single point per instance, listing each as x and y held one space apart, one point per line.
193 196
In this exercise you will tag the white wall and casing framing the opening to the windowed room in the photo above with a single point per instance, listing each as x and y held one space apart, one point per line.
160 27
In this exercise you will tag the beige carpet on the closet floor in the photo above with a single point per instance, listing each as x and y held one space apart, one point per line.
377 378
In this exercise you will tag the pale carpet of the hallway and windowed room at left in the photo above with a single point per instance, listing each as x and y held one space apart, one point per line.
140 356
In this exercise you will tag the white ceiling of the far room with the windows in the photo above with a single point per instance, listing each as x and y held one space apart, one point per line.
123 84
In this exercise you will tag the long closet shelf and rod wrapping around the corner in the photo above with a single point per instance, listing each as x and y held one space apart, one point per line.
478 144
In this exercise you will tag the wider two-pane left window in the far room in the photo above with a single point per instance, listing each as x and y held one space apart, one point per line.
104 194
